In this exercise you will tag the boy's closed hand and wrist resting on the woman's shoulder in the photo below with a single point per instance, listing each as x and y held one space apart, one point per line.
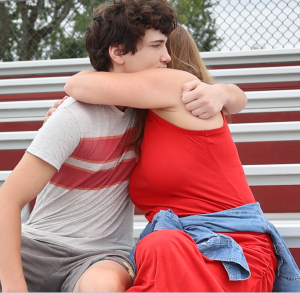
204 100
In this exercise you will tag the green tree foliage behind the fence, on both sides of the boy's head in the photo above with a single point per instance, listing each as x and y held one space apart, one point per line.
51 29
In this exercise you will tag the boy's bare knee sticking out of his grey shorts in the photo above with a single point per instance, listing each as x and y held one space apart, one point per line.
104 276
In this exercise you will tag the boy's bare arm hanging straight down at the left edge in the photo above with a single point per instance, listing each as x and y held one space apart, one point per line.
28 179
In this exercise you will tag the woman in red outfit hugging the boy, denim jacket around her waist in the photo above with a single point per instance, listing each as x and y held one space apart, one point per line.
213 237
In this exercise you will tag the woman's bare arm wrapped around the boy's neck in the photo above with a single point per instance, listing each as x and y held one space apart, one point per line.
159 88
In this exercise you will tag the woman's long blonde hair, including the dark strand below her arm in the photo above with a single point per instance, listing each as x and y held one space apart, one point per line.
185 56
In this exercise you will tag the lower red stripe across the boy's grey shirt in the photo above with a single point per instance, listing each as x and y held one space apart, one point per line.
70 177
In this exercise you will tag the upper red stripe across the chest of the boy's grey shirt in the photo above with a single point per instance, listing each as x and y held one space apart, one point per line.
109 148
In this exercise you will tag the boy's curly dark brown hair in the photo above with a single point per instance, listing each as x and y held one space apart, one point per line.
123 22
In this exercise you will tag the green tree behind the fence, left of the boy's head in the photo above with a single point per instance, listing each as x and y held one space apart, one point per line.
43 29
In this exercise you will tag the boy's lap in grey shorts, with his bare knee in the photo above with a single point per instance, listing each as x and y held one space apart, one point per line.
48 267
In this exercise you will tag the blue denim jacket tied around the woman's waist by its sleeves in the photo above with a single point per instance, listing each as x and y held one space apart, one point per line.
246 218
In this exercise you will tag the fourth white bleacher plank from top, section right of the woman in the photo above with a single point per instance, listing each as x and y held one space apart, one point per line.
271 131
